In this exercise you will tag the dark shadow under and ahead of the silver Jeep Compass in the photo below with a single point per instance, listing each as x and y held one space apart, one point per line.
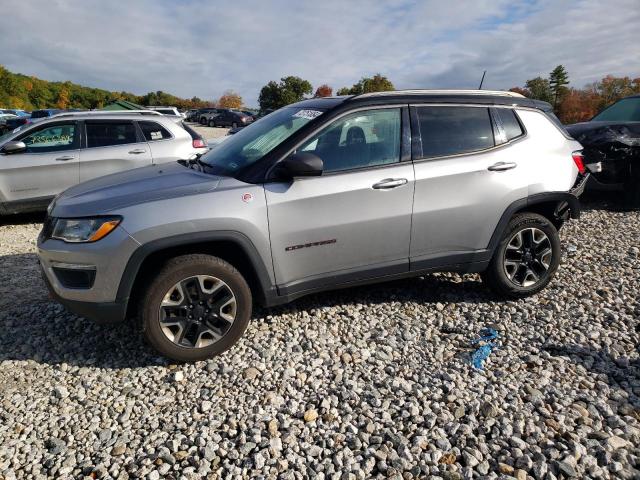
38 328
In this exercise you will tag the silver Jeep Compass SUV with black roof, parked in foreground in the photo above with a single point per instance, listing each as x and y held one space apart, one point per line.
322 194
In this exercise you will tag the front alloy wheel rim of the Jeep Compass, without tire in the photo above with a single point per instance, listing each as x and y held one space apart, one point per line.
197 311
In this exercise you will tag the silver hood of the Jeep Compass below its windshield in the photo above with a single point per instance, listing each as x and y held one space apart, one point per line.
155 182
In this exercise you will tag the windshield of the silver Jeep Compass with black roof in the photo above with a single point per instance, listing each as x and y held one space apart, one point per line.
253 142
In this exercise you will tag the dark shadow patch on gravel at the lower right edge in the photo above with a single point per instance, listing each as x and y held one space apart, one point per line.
621 373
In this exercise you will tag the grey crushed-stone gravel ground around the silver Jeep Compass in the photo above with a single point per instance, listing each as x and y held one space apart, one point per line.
370 382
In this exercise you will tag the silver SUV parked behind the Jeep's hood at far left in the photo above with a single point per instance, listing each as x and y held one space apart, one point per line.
39 161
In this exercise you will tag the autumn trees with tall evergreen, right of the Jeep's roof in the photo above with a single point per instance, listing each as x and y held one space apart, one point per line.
573 105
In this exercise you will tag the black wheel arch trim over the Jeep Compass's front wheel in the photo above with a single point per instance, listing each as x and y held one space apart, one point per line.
132 269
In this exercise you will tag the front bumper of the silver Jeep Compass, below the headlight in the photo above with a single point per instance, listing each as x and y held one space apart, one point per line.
106 259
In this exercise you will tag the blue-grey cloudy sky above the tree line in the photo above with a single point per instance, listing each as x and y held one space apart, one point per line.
203 48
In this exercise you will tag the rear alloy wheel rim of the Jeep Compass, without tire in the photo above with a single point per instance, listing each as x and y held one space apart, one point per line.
527 257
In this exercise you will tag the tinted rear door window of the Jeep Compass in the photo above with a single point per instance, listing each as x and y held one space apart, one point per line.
454 130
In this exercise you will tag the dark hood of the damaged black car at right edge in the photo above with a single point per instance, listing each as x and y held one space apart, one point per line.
595 134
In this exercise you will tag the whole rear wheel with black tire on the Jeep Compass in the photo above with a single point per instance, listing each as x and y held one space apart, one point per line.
526 258
